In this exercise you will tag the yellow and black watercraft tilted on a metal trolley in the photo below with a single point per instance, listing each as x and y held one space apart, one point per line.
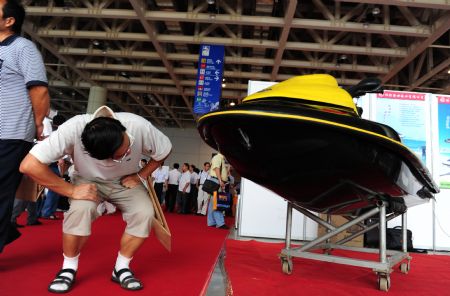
305 140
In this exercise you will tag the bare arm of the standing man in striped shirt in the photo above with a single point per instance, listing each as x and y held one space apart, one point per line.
40 101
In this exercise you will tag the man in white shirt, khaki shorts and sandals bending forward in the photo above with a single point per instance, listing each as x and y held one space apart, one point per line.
106 148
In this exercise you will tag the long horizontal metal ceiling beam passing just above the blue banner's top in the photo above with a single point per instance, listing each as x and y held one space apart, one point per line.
238 42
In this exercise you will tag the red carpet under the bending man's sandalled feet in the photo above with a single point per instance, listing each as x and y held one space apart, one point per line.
31 262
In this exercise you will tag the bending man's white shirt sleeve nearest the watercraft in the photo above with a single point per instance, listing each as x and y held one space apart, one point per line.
155 143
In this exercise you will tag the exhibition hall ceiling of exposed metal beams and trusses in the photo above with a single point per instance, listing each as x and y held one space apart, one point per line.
145 52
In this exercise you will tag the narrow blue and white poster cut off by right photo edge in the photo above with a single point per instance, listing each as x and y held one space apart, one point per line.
444 140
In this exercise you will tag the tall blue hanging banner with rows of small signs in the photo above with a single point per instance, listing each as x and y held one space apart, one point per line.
209 78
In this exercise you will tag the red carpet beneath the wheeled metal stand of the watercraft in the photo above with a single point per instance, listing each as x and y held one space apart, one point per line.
254 269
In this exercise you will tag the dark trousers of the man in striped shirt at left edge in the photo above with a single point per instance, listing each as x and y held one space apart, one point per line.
11 154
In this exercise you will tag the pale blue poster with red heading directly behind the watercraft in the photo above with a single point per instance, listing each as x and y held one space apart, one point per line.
406 113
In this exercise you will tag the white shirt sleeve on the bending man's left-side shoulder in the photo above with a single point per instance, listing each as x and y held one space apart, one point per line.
59 143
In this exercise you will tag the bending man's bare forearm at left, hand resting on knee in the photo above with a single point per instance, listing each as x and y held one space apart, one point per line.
42 174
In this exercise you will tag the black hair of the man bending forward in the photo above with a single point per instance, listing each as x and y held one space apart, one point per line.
102 137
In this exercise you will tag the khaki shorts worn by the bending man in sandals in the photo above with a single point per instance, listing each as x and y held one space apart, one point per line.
135 204
